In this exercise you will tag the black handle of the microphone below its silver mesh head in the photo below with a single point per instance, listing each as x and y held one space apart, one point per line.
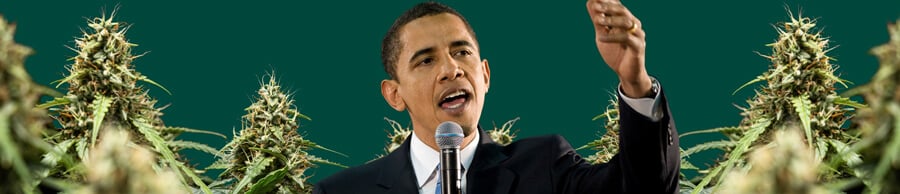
451 172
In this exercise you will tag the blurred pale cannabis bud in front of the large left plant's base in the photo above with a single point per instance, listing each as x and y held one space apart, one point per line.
117 165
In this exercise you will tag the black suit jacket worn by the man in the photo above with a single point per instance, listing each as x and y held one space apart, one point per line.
648 162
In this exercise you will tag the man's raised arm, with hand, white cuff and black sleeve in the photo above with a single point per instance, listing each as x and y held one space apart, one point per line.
648 160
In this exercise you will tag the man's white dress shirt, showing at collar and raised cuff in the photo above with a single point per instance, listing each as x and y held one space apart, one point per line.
425 159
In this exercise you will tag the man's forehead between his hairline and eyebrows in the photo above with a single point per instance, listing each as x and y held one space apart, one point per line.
433 30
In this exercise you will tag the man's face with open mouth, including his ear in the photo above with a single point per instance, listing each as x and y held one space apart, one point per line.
440 75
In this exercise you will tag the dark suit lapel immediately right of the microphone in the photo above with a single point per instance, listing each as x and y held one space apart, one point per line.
485 173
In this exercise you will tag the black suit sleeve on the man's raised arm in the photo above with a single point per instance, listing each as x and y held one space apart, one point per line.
648 160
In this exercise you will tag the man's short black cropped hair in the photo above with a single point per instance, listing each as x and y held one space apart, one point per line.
391 45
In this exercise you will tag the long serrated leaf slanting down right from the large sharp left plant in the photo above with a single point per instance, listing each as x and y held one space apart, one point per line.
160 146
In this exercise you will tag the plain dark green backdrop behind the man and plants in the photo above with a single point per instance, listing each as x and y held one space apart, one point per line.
545 66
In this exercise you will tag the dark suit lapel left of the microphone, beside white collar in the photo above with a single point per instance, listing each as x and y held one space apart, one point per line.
397 174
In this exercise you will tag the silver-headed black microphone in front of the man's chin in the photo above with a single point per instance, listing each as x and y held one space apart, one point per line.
449 137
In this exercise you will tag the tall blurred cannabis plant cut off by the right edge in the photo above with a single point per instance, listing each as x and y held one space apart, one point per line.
879 124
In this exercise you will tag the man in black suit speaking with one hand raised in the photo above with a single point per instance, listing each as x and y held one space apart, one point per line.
437 75
